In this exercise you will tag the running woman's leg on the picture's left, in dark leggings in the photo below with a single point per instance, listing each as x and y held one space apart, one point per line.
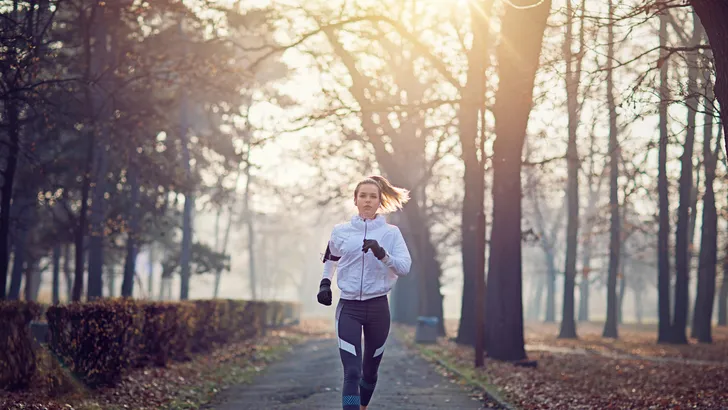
348 329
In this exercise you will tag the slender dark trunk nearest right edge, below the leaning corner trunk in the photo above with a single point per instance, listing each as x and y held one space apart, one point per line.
708 259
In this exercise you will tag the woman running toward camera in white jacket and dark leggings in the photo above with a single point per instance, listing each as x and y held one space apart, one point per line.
369 255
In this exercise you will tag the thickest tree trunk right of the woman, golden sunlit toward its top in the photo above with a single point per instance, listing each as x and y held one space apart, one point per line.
516 72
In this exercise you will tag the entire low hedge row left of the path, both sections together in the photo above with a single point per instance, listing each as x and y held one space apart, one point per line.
98 341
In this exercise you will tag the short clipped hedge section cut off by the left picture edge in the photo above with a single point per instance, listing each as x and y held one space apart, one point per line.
17 356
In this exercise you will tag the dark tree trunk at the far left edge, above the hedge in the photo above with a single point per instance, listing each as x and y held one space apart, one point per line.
8 175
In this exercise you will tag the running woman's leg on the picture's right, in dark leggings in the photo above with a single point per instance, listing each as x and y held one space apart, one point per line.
376 330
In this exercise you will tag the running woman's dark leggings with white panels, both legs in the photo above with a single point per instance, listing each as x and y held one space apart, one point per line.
360 372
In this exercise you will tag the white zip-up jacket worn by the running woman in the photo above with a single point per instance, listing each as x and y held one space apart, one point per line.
362 276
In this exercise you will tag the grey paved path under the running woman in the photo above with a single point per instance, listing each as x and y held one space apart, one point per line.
310 378
